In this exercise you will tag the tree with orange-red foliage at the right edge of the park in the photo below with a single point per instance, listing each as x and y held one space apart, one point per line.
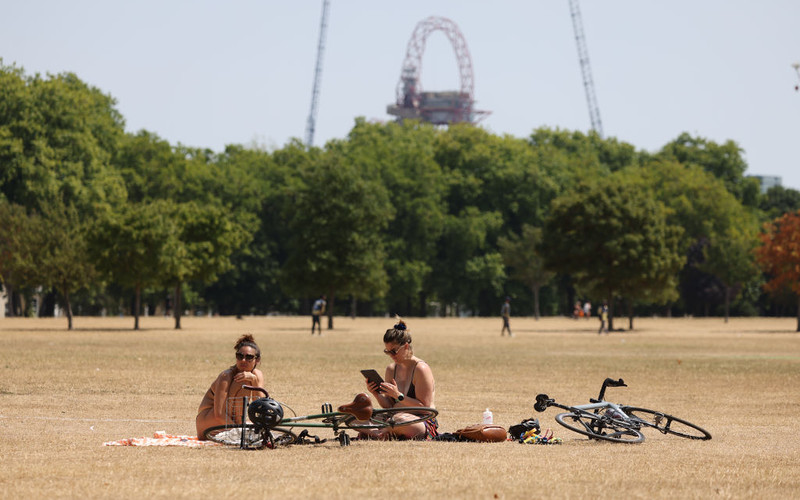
779 256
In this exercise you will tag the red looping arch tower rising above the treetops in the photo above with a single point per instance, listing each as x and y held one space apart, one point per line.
440 108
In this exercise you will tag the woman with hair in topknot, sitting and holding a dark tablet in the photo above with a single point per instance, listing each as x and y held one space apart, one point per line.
408 383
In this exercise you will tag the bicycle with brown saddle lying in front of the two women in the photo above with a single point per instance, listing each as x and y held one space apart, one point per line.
268 427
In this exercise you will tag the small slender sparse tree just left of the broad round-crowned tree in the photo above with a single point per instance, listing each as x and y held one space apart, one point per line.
521 254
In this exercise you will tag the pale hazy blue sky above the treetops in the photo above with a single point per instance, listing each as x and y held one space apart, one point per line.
211 73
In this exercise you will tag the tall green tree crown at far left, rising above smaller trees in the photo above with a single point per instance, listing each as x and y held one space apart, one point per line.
57 137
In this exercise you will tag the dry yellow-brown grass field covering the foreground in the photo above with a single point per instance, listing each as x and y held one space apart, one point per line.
64 393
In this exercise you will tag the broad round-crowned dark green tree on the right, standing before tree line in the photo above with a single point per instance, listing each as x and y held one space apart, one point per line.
613 238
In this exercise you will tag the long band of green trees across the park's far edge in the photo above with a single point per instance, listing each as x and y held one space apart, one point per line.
394 218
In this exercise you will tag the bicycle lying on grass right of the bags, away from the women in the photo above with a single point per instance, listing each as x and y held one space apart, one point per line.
618 423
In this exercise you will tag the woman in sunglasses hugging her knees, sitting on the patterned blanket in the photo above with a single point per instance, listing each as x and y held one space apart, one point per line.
229 384
